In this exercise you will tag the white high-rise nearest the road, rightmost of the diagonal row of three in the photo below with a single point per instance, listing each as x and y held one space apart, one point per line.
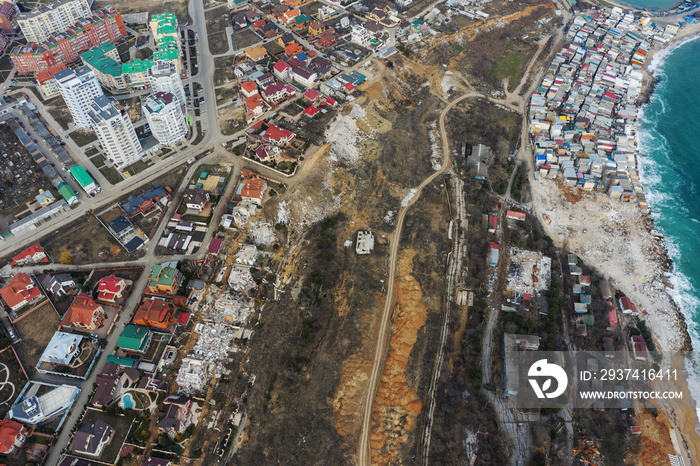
165 116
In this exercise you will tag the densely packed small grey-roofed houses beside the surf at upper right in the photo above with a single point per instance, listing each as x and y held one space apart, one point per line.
583 117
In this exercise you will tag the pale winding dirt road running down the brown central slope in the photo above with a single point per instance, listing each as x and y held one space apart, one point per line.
364 451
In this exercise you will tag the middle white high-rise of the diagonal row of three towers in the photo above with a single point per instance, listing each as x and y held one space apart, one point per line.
115 132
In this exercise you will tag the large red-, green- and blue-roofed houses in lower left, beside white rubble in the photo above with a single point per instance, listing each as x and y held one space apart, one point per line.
126 374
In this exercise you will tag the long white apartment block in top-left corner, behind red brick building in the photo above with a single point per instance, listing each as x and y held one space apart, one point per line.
58 16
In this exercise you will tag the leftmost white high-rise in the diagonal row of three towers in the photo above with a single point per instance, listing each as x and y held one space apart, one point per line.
78 88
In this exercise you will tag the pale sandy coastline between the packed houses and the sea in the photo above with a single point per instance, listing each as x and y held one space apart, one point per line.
620 241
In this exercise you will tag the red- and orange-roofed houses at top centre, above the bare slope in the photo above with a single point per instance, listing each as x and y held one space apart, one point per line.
313 52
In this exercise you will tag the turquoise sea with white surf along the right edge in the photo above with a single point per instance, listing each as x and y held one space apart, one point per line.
669 163
